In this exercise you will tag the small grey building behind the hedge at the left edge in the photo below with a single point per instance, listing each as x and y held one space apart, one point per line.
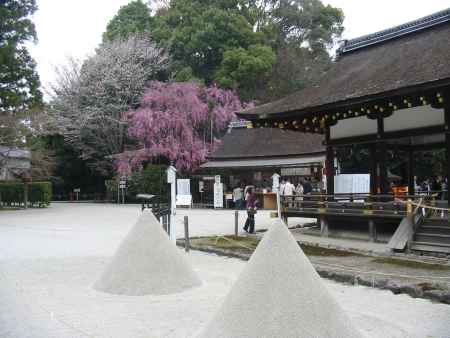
13 163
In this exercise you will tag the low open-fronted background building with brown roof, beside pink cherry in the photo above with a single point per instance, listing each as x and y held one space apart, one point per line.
249 156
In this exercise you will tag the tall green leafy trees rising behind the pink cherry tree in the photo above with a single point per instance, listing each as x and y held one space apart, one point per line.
263 49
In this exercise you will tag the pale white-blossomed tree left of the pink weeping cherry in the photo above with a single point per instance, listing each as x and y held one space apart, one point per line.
89 98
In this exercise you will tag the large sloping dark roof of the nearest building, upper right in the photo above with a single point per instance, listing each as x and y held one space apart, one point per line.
385 67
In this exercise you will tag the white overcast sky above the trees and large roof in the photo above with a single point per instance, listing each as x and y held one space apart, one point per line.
74 27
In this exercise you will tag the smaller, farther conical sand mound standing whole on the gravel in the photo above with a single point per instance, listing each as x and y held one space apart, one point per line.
147 263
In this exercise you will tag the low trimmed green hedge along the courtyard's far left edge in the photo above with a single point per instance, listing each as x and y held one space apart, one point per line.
12 194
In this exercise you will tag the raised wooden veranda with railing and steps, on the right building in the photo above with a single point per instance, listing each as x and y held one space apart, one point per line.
420 213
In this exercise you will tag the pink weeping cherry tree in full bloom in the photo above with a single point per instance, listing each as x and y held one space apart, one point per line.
179 121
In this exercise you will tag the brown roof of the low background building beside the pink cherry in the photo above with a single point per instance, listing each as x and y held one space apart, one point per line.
267 142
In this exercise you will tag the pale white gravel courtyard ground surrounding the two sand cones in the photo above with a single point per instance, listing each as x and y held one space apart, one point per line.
49 259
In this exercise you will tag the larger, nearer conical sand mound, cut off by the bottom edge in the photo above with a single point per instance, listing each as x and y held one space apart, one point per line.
279 294
